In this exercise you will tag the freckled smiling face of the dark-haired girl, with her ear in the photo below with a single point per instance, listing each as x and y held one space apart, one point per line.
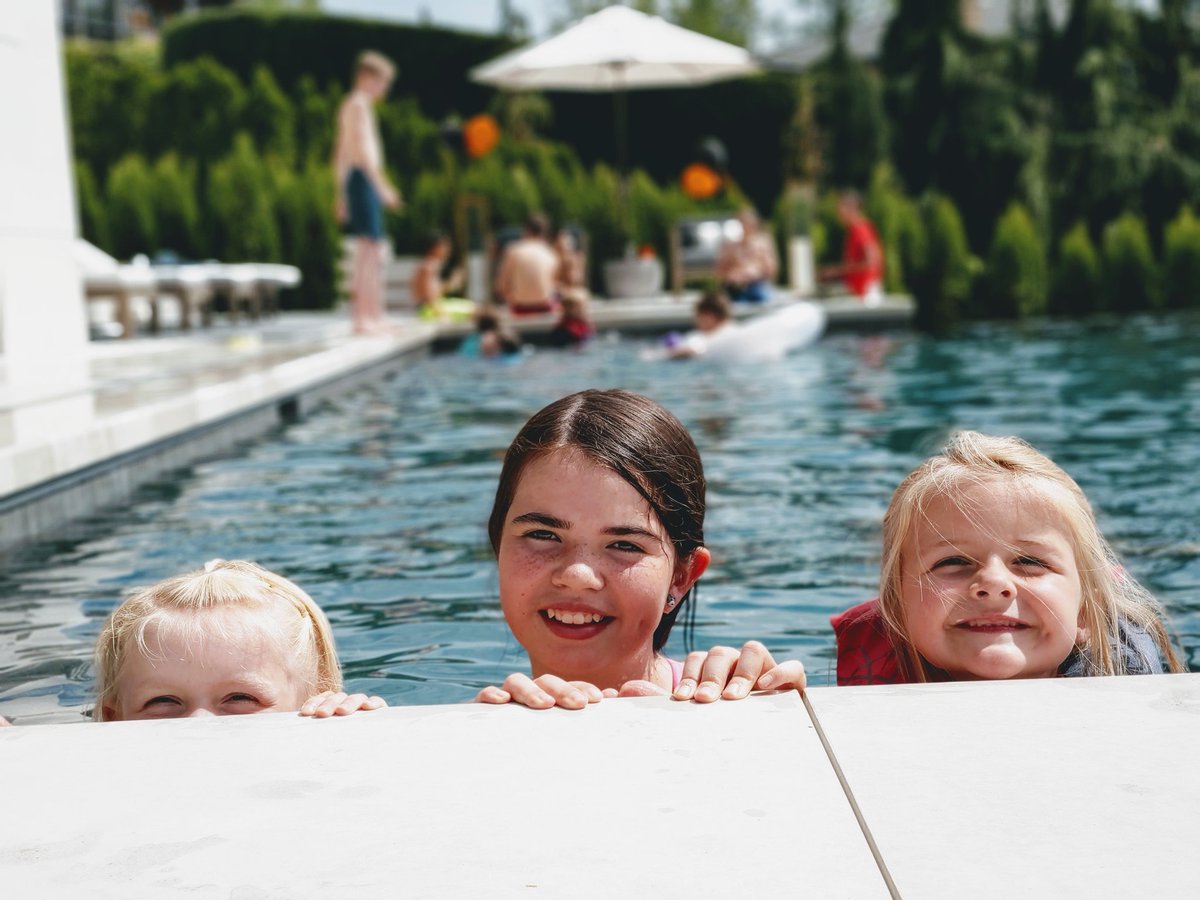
586 568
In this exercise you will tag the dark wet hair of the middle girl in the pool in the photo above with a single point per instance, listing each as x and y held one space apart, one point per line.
637 439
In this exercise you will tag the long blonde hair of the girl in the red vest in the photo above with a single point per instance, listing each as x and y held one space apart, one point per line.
1109 595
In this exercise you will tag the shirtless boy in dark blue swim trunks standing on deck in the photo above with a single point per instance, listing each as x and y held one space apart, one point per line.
364 188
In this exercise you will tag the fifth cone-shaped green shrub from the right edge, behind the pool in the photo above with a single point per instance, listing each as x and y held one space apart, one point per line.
944 283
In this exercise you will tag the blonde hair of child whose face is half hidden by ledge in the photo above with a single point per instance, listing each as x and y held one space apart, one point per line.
221 586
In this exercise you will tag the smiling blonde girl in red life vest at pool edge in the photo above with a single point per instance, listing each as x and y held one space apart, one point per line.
994 568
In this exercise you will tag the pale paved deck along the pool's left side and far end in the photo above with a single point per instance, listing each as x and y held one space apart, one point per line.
154 405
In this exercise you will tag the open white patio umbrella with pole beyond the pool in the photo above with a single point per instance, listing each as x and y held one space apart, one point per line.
617 50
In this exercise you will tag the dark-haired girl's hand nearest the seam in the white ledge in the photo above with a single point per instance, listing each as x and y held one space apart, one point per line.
728 674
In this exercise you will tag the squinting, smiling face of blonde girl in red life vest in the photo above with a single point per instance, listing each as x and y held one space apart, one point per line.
994 593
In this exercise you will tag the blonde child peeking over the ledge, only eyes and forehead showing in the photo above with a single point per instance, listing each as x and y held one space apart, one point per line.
232 639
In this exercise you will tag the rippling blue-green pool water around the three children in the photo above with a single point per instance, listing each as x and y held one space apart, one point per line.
377 503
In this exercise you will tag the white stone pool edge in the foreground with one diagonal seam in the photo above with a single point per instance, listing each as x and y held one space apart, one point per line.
1066 788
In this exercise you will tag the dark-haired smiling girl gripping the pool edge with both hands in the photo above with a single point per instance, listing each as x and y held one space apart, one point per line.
598 530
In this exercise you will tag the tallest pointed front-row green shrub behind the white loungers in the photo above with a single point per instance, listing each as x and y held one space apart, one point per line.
243 221
